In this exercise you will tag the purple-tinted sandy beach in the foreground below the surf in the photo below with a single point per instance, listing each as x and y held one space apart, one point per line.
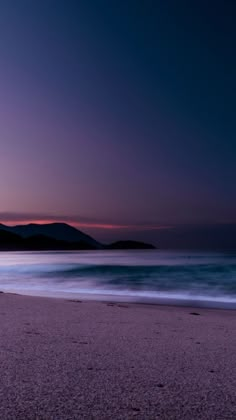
62 359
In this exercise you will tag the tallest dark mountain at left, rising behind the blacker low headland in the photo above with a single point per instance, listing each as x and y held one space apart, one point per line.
56 231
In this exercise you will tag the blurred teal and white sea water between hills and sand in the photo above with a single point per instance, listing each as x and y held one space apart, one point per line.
187 278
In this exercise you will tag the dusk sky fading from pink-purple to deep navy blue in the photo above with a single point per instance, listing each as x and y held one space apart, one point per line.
118 116
